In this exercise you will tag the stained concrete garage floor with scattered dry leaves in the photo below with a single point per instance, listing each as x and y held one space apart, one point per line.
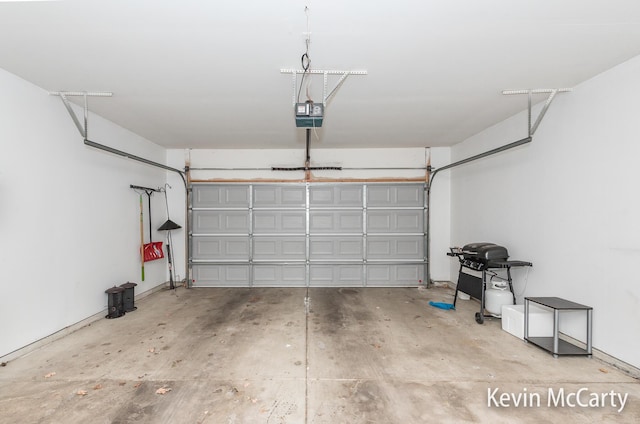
254 356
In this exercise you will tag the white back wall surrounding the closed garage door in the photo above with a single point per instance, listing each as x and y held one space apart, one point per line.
347 158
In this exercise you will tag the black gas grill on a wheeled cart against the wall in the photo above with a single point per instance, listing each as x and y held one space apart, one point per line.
482 257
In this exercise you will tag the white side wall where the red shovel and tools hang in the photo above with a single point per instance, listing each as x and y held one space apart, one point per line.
69 222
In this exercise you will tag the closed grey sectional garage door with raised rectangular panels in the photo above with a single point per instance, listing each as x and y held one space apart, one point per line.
314 234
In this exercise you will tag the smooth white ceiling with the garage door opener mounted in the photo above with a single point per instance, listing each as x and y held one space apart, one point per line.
206 74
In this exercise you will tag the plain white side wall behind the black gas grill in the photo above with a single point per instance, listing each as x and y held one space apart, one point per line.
569 202
